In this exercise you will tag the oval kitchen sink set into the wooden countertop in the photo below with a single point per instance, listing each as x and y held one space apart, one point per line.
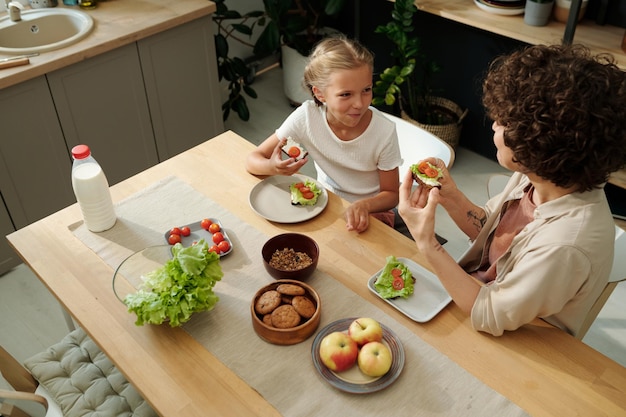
42 30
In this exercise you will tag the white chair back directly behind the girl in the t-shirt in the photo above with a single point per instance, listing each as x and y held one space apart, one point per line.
417 144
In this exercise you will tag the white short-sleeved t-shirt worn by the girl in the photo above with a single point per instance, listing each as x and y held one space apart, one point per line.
347 168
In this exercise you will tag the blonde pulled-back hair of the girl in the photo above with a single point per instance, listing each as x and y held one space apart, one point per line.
332 54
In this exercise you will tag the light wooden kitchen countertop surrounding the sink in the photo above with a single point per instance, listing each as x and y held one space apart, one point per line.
117 23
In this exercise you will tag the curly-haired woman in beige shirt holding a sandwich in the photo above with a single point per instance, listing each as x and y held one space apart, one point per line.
544 246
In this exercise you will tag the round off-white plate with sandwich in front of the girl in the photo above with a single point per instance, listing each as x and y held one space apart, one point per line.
271 199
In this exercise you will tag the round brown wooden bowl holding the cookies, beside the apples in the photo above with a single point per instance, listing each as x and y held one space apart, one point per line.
292 335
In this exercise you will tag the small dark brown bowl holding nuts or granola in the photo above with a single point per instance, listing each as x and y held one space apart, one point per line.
297 242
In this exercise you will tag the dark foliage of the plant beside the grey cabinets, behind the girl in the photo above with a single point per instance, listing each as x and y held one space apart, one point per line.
297 24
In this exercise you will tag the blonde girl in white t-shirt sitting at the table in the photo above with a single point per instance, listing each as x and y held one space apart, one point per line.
354 147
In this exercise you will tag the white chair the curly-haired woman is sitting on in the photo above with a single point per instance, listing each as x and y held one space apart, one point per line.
497 182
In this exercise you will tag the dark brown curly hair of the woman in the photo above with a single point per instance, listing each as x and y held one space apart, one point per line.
563 111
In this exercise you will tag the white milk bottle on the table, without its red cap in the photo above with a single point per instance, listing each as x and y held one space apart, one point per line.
92 193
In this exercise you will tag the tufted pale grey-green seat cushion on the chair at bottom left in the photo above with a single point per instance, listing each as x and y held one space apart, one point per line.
84 382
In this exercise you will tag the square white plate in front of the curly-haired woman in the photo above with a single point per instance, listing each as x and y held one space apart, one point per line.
428 298
